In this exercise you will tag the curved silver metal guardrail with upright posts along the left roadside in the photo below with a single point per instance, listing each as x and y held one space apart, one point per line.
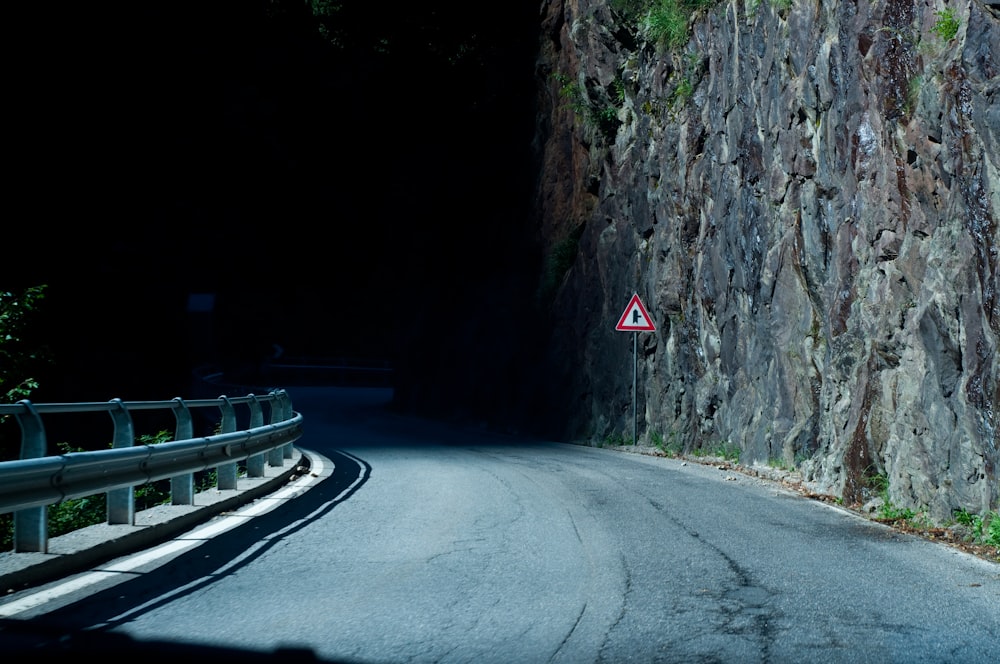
35 481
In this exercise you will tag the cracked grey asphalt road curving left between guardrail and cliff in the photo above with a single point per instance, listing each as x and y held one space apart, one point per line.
422 542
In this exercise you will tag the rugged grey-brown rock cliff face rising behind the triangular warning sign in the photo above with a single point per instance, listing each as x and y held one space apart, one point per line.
806 196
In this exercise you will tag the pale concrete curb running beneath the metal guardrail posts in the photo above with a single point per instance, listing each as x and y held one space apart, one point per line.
82 549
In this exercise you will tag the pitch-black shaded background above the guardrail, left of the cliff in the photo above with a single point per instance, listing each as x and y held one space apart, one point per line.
350 185
